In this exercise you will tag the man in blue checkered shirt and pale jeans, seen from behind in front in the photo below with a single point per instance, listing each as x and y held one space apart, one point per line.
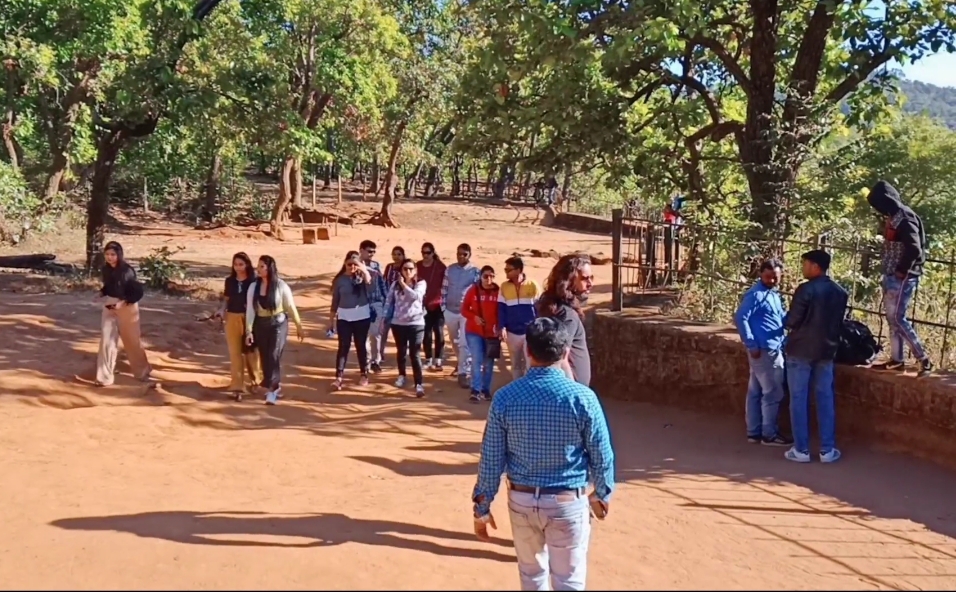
549 434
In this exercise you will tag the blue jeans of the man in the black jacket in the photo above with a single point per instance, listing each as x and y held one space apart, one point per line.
801 375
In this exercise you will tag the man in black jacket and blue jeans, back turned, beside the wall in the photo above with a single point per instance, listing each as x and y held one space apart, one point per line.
814 324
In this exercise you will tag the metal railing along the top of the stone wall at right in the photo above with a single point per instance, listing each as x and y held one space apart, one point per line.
703 270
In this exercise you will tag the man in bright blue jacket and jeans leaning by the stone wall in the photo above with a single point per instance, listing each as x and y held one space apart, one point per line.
759 321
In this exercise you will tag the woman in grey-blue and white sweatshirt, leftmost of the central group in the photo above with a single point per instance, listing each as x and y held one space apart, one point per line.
352 314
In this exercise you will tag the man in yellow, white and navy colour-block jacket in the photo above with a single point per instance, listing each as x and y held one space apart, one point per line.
516 309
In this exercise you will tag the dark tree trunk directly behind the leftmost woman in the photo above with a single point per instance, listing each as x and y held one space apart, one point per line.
97 210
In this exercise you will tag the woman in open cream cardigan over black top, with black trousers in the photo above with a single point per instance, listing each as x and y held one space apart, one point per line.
269 304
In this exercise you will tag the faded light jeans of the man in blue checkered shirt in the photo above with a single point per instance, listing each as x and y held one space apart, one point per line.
551 536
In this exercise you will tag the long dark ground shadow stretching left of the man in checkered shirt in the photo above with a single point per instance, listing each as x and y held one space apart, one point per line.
215 528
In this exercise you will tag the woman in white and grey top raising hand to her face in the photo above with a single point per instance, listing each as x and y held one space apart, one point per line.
405 313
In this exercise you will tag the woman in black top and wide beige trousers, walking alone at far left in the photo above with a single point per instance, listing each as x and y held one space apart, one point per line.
120 296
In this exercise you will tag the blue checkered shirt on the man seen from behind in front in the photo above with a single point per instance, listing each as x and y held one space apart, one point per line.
545 430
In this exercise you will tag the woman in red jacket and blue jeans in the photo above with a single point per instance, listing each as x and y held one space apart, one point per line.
480 309
